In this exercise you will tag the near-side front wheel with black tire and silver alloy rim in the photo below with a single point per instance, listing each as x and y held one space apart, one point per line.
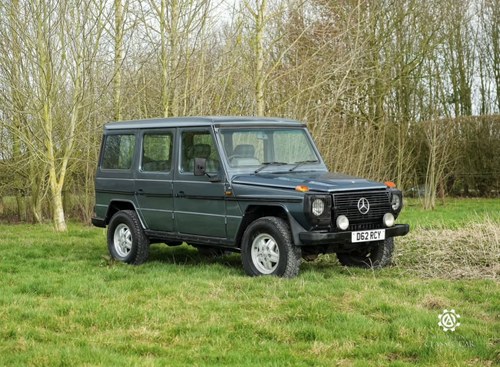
267 249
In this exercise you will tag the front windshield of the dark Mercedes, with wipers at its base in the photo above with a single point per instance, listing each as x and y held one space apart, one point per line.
274 147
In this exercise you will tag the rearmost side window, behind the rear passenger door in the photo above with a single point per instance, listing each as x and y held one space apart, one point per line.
118 151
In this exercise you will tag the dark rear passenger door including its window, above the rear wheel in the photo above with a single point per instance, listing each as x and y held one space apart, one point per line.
154 179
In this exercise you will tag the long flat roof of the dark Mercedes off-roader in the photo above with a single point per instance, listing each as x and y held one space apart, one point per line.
201 121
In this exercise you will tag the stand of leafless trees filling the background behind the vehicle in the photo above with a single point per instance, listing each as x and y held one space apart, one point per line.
376 82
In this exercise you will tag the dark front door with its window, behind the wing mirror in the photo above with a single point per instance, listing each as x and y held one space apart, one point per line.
199 203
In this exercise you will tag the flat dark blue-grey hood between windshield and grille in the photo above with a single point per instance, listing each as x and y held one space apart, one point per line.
316 181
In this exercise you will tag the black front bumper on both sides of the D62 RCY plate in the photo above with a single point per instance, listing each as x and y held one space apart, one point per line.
329 238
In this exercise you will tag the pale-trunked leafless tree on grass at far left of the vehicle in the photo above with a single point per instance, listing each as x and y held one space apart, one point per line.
55 52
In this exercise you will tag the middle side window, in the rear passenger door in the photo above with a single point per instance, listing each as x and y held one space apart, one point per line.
157 152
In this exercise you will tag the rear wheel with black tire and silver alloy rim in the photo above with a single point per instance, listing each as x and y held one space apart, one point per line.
127 241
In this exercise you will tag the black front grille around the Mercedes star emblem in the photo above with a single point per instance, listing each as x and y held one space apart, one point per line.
347 204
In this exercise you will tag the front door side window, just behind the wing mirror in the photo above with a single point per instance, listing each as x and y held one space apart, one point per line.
198 144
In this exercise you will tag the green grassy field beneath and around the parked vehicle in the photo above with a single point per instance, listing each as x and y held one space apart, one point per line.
64 302
